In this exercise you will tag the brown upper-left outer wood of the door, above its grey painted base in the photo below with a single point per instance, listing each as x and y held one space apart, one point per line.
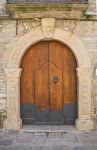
35 56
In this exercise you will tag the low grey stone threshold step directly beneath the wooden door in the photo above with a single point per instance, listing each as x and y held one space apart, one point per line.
40 129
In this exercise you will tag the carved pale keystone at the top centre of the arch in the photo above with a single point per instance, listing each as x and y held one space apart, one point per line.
48 27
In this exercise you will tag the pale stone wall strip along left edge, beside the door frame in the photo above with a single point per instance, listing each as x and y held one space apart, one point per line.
7 39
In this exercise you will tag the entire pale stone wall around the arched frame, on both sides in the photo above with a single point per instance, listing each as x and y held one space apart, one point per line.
11 30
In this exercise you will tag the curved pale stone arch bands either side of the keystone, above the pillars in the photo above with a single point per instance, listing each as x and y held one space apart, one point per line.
35 36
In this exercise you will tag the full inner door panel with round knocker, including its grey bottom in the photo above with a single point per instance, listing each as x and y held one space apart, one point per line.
56 104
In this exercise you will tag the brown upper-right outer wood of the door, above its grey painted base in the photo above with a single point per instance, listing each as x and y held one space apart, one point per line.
63 58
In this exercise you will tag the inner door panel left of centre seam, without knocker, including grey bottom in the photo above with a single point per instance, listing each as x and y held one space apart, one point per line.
41 94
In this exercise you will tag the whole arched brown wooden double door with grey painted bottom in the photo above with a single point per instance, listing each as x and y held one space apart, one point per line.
48 84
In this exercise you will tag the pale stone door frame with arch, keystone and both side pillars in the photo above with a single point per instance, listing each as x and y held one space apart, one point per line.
84 73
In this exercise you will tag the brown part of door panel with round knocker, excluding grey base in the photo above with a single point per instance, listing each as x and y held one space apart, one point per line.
55 87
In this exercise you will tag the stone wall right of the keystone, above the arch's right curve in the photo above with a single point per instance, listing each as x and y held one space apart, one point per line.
86 31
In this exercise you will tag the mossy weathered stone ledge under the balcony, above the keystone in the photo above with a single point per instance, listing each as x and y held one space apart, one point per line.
41 10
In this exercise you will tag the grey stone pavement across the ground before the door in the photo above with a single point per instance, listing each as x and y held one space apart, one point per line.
68 139
